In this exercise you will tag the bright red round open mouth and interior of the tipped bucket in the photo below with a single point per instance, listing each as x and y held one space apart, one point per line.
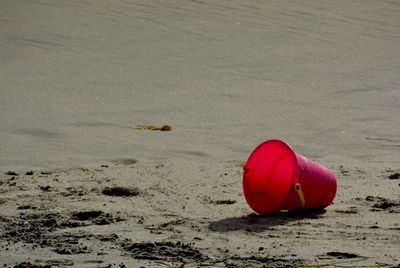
268 176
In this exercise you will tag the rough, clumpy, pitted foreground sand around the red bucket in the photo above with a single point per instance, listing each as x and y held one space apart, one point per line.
190 214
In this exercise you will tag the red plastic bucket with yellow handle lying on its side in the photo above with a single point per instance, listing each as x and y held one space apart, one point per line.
278 179
